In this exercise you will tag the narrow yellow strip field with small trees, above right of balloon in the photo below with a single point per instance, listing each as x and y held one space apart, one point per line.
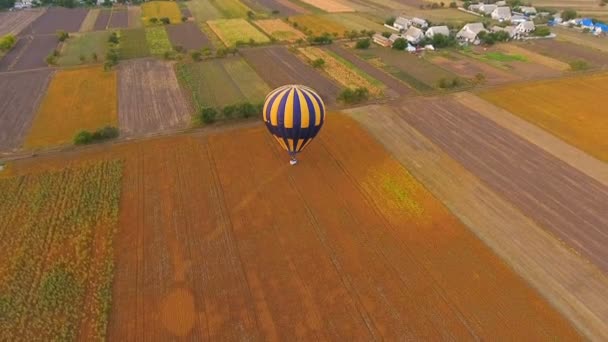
345 74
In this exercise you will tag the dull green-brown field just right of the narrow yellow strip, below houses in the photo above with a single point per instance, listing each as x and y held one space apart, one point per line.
416 72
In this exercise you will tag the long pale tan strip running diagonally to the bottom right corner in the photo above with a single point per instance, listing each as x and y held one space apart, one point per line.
567 280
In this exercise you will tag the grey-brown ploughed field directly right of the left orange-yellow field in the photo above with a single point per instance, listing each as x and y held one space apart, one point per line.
149 98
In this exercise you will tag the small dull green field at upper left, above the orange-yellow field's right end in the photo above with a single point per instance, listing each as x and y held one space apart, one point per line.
85 45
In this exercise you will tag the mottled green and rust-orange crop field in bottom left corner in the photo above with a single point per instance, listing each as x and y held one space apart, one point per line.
57 253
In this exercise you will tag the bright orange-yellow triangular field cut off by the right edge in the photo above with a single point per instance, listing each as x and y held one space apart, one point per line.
568 108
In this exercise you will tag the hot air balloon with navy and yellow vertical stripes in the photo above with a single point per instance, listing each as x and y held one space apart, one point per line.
294 115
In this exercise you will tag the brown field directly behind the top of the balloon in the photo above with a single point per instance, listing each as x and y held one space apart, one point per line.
277 66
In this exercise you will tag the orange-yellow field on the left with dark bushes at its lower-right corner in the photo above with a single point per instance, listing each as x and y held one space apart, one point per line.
79 99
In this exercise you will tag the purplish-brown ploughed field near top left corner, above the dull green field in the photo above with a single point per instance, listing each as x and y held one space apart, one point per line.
58 18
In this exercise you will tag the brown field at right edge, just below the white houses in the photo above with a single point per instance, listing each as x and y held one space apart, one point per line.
568 52
